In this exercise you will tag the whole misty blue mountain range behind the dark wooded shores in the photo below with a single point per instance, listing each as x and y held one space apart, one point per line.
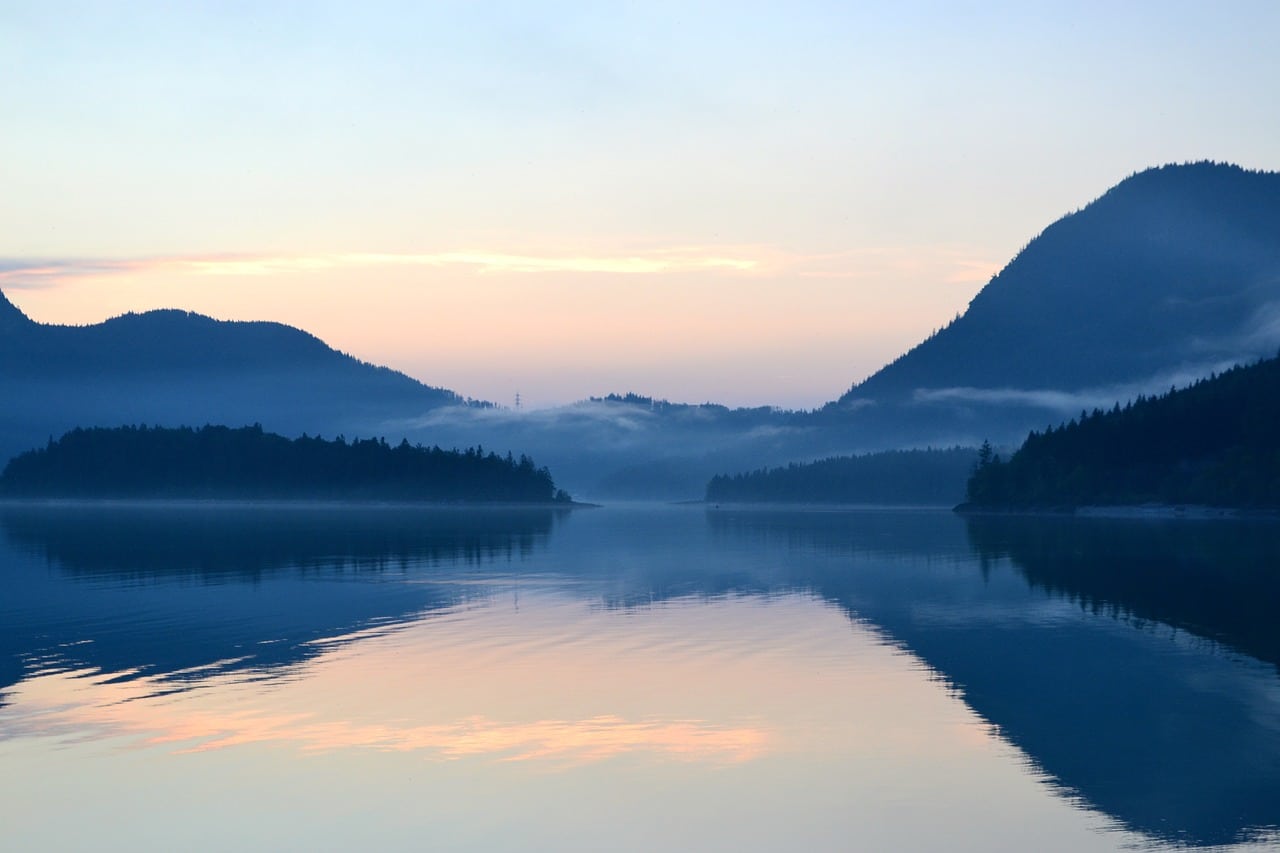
1173 273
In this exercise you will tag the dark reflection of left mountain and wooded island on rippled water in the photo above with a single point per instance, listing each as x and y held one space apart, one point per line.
228 589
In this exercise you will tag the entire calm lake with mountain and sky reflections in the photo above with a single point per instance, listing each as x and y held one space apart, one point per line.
636 678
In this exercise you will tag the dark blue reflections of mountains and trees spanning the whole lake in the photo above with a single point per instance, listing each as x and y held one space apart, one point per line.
1171 738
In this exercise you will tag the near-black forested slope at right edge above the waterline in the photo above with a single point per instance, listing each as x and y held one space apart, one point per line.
1214 444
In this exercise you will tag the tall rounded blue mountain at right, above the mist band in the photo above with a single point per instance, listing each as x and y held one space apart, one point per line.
1174 270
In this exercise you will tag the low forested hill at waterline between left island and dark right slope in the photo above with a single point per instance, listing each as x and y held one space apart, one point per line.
917 477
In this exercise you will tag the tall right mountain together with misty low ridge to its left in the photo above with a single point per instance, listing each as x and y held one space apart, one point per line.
1172 275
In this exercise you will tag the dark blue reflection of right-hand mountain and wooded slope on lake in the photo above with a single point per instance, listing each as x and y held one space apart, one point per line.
1069 655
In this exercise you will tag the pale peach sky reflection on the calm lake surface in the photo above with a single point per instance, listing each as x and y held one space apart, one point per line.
715 726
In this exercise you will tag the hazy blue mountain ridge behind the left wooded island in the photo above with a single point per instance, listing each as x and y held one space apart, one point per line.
173 368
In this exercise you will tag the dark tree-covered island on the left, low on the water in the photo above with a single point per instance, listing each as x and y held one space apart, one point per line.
249 463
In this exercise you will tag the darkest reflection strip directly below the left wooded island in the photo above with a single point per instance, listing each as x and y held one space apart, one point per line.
248 541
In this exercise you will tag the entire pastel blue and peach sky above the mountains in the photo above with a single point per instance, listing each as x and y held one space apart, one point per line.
744 203
